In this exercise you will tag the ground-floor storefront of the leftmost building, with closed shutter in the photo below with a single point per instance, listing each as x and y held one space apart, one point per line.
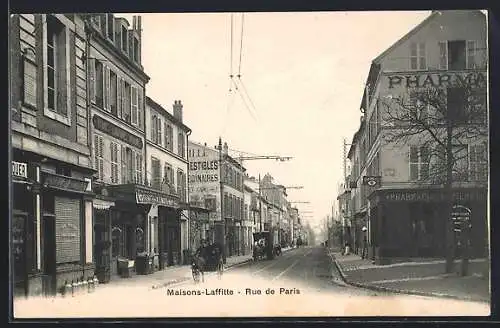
51 224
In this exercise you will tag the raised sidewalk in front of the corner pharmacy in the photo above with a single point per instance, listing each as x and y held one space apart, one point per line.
420 277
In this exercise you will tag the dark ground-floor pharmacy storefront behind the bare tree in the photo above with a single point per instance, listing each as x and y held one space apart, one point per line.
412 223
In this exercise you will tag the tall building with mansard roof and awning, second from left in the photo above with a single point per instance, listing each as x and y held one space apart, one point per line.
116 84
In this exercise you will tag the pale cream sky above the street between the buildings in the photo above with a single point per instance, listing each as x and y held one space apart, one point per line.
304 75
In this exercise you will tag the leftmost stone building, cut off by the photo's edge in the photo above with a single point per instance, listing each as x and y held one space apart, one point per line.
51 165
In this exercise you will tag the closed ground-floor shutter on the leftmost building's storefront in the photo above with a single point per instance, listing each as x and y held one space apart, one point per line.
68 236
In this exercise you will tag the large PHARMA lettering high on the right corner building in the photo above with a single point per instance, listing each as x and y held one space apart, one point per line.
474 79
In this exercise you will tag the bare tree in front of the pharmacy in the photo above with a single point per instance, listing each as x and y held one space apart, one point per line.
444 119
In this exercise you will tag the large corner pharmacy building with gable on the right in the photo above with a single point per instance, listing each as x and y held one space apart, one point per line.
394 195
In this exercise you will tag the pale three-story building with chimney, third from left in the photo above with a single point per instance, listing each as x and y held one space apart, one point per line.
166 171
